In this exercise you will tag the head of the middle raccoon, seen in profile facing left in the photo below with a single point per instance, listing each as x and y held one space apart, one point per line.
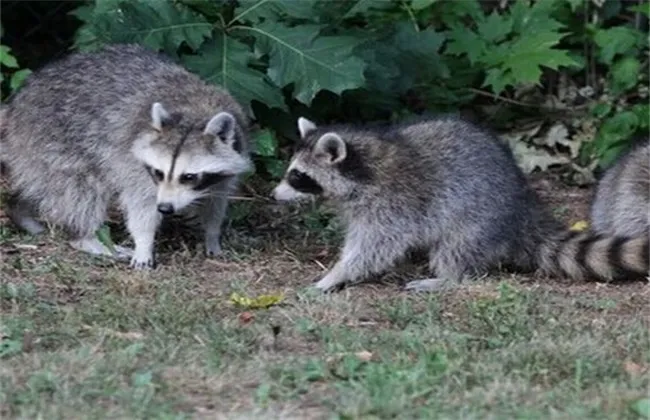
324 165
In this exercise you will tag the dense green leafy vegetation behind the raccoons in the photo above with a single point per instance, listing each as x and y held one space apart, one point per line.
359 60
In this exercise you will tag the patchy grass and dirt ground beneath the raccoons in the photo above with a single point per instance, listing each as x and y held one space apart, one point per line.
85 337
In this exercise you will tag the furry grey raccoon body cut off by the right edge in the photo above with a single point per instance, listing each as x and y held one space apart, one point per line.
621 204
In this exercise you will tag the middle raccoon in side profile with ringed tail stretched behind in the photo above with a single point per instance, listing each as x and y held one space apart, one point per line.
445 186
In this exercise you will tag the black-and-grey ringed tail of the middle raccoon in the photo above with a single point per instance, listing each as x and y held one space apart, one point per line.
590 256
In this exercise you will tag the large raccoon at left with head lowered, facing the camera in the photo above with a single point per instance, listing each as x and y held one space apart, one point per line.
128 124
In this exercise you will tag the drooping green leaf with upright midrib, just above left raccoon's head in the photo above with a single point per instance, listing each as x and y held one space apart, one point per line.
224 62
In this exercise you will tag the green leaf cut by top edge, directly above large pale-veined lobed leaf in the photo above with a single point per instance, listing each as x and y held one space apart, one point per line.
254 10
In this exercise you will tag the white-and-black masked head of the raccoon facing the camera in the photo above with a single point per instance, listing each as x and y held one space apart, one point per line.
188 161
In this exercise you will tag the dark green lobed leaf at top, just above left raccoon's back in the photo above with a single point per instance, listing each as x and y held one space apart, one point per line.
156 24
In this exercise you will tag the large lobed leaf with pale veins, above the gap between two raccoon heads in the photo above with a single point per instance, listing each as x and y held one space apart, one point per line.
311 62
